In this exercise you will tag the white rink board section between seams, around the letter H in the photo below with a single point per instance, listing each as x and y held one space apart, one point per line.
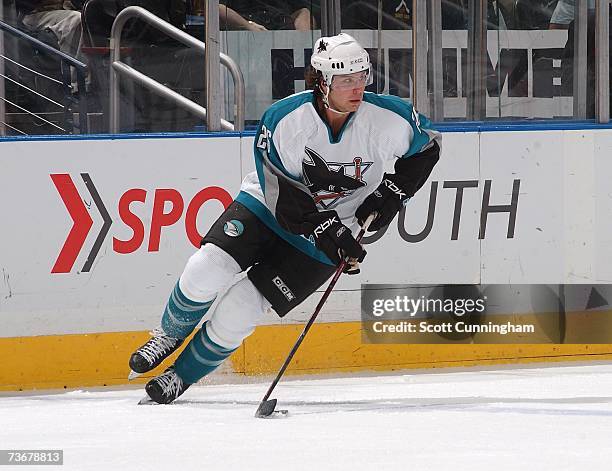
534 255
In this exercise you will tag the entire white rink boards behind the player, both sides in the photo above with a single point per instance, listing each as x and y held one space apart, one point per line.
562 230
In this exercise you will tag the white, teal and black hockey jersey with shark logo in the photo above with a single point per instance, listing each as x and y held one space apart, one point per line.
302 167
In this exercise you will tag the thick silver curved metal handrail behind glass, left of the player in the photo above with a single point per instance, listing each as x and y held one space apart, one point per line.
119 68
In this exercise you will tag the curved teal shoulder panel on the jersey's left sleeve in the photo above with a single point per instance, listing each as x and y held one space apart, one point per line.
270 120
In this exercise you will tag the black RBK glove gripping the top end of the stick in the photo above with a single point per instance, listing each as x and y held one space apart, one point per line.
385 201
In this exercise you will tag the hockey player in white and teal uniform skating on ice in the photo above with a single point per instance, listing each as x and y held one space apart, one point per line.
320 159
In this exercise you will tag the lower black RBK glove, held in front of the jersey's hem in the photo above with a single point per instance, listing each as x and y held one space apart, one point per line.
334 238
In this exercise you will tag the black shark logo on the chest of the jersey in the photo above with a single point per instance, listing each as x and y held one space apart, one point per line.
328 181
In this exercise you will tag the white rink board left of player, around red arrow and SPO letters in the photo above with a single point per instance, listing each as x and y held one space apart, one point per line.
121 291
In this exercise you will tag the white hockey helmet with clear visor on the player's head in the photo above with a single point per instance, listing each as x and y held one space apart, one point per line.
340 55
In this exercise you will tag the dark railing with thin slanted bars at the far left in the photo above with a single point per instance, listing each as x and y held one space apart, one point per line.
81 72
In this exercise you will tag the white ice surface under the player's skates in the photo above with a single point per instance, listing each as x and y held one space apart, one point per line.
549 418
